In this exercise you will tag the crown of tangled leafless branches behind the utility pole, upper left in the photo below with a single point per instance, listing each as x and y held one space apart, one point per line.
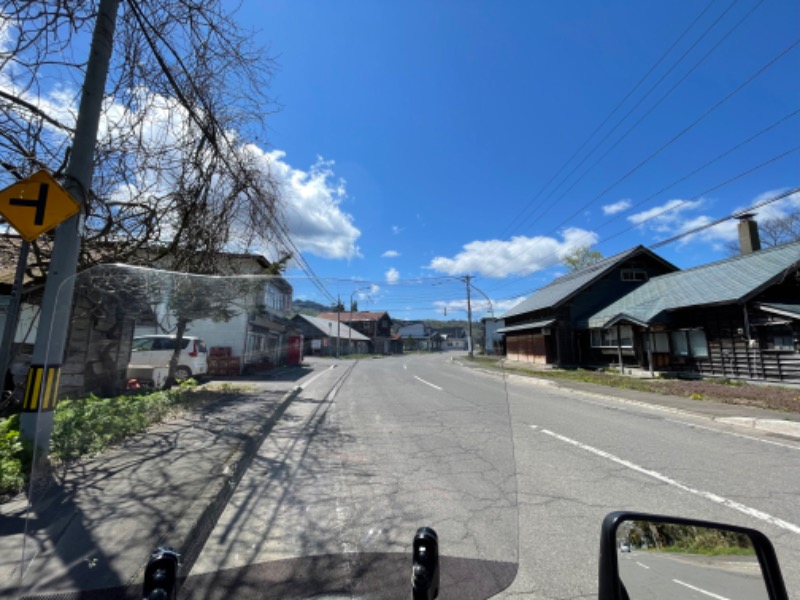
176 172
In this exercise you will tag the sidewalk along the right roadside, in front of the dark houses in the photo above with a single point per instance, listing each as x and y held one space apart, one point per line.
774 422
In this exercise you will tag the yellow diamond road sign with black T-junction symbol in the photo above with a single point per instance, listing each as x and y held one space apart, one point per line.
36 205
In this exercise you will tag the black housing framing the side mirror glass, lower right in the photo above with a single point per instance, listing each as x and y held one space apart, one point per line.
610 586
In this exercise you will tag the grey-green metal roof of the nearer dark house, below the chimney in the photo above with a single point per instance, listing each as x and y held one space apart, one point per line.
733 280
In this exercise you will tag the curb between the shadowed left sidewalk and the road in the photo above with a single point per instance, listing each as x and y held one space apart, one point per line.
209 506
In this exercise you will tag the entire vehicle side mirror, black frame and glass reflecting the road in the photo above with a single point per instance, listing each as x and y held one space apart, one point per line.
658 556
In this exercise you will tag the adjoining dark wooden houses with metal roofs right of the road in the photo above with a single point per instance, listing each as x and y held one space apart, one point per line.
735 318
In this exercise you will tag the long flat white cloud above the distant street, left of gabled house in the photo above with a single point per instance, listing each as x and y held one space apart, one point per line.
518 256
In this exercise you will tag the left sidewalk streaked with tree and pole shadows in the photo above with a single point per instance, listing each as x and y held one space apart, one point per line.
93 525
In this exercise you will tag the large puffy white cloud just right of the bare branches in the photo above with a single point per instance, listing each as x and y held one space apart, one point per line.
314 217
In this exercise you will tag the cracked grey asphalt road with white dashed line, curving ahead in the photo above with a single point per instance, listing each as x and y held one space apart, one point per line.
374 448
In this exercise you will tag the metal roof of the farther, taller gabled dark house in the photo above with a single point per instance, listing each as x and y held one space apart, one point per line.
562 289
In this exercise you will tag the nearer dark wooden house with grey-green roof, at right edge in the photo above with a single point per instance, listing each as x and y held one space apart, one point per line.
736 318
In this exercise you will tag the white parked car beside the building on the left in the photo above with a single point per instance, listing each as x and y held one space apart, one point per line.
152 351
